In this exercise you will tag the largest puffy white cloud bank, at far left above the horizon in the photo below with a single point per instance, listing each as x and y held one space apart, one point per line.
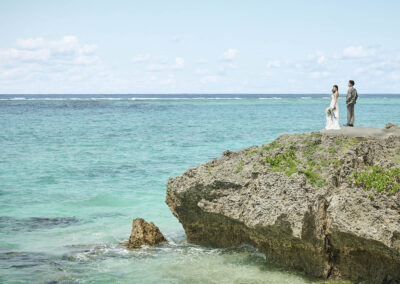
41 62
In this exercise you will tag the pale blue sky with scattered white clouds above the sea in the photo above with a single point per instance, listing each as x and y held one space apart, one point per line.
164 47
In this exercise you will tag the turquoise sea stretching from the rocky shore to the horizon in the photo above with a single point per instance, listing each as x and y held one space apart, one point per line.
75 171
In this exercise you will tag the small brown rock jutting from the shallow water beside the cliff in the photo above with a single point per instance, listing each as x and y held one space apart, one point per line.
144 234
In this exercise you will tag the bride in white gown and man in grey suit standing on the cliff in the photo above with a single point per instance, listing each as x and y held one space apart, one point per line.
332 112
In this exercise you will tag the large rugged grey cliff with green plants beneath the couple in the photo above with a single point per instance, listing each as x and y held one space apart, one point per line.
325 203
